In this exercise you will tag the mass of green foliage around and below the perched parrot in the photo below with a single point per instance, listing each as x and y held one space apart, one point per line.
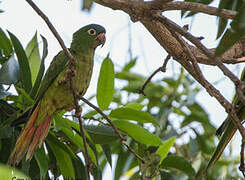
168 128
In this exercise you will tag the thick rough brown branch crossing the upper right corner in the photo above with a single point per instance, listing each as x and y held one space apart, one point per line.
165 38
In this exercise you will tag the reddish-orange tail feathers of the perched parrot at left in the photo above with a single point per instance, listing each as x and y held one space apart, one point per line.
30 138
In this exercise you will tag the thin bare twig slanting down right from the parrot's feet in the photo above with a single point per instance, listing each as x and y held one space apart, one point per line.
123 140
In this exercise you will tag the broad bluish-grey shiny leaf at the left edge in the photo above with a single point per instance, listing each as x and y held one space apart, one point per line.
10 72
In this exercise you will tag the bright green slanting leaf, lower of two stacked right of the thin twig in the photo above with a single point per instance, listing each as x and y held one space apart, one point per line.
138 133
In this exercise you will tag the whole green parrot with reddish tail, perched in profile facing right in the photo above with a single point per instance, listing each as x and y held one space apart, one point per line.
55 94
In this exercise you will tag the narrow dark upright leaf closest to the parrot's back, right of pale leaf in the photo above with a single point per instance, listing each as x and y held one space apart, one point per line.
41 68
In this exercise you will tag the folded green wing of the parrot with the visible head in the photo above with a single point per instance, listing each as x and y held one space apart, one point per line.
56 67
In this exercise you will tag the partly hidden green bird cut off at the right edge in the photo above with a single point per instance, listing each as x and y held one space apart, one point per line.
228 129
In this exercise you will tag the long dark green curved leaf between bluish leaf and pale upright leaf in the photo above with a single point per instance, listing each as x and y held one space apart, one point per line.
25 72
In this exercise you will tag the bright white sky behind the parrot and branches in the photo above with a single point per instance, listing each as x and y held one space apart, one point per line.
20 19
